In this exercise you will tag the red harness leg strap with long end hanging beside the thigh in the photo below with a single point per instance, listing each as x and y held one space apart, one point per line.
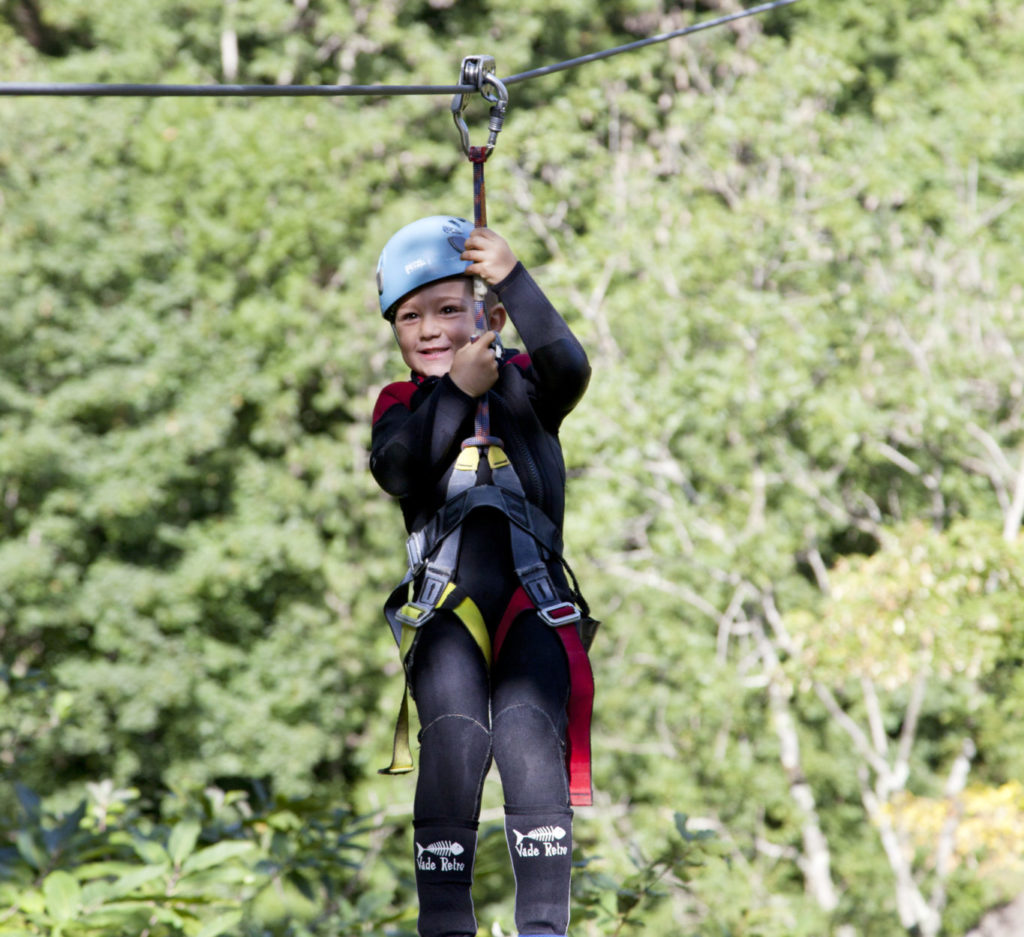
581 705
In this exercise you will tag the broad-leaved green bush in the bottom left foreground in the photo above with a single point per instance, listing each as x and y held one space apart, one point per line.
216 865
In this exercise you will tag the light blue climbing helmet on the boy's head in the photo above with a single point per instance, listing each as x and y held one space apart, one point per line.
421 253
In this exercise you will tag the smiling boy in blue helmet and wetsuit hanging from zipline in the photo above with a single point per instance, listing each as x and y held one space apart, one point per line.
489 626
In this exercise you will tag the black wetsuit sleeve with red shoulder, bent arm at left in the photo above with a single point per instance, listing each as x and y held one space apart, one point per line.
412 448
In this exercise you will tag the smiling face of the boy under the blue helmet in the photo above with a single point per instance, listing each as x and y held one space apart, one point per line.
434 323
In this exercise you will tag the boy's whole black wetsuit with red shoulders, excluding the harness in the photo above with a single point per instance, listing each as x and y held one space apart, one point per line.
516 714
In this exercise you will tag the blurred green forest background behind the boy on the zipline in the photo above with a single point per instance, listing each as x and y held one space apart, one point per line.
792 247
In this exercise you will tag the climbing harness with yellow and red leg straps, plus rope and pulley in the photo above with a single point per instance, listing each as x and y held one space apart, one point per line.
535 540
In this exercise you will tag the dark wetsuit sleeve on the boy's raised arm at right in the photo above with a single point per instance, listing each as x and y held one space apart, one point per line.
560 362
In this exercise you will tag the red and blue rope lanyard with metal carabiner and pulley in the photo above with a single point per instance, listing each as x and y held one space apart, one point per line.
480 71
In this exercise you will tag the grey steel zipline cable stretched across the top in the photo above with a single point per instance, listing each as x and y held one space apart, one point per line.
98 90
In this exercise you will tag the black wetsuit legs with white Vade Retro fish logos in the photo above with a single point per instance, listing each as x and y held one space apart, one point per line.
515 715
